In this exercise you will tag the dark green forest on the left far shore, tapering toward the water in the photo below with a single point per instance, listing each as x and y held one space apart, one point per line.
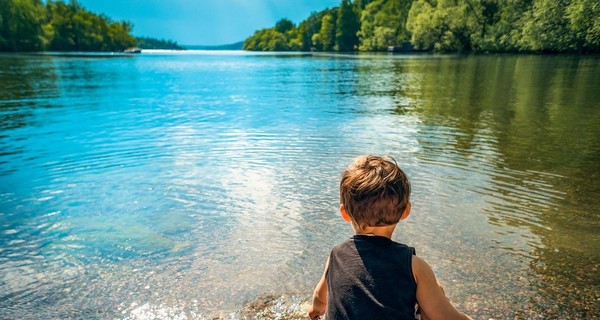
31 25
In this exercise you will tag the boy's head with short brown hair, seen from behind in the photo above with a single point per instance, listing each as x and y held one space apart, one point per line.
374 191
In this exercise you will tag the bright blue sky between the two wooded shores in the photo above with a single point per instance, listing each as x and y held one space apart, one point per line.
204 22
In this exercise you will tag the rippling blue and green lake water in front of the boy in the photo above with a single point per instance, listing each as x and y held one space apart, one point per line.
192 184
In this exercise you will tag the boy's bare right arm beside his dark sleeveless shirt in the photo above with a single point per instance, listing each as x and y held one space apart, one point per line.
433 303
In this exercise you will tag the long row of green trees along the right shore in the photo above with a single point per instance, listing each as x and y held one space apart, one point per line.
441 26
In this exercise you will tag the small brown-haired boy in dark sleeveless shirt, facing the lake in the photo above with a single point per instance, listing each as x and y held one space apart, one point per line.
369 276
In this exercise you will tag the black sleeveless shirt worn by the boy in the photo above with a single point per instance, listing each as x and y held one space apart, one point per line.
370 277
